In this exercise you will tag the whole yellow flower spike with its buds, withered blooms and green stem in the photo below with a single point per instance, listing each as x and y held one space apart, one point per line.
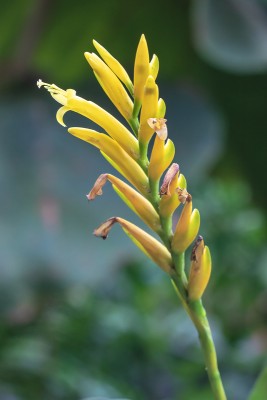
157 188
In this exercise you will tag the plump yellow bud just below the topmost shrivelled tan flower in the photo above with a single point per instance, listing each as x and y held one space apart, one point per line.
161 157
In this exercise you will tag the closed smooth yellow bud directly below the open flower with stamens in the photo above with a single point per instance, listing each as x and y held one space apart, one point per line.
126 165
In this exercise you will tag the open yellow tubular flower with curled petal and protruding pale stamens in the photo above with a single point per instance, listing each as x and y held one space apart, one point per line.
90 110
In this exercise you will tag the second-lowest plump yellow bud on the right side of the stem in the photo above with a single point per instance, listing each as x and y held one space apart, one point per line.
186 228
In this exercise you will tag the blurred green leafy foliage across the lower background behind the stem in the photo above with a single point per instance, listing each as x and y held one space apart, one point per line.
126 337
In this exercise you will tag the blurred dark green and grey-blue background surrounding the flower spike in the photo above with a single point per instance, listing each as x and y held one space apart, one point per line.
82 318
